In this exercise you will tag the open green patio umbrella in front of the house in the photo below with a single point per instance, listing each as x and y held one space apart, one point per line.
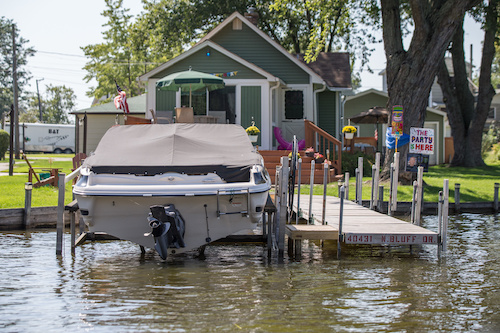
190 81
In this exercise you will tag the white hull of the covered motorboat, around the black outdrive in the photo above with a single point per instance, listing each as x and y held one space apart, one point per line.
126 216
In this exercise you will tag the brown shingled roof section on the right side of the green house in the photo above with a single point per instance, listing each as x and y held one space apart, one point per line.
334 68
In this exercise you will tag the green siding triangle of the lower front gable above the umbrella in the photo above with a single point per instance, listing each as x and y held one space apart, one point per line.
216 63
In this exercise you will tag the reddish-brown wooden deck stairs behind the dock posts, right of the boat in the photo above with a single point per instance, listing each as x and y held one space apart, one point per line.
272 159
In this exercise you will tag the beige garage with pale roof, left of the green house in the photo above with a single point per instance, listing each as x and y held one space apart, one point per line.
93 122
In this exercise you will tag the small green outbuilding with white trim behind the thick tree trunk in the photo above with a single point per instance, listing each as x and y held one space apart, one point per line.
365 100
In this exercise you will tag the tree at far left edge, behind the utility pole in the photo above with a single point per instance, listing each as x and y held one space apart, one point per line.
23 52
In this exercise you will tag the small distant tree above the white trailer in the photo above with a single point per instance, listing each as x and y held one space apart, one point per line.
58 102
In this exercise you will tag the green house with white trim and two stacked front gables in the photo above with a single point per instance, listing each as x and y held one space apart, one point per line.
263 82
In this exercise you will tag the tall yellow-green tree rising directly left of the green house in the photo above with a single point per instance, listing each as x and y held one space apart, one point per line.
113 60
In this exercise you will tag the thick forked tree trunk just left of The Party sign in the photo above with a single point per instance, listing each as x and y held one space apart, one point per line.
410 73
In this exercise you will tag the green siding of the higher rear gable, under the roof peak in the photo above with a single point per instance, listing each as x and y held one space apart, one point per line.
247 44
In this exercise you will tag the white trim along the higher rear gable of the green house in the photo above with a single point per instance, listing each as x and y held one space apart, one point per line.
314 78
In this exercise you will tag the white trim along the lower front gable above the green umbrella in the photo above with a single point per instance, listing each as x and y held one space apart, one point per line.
214 46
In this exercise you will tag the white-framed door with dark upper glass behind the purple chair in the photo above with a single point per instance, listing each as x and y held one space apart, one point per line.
293 120
